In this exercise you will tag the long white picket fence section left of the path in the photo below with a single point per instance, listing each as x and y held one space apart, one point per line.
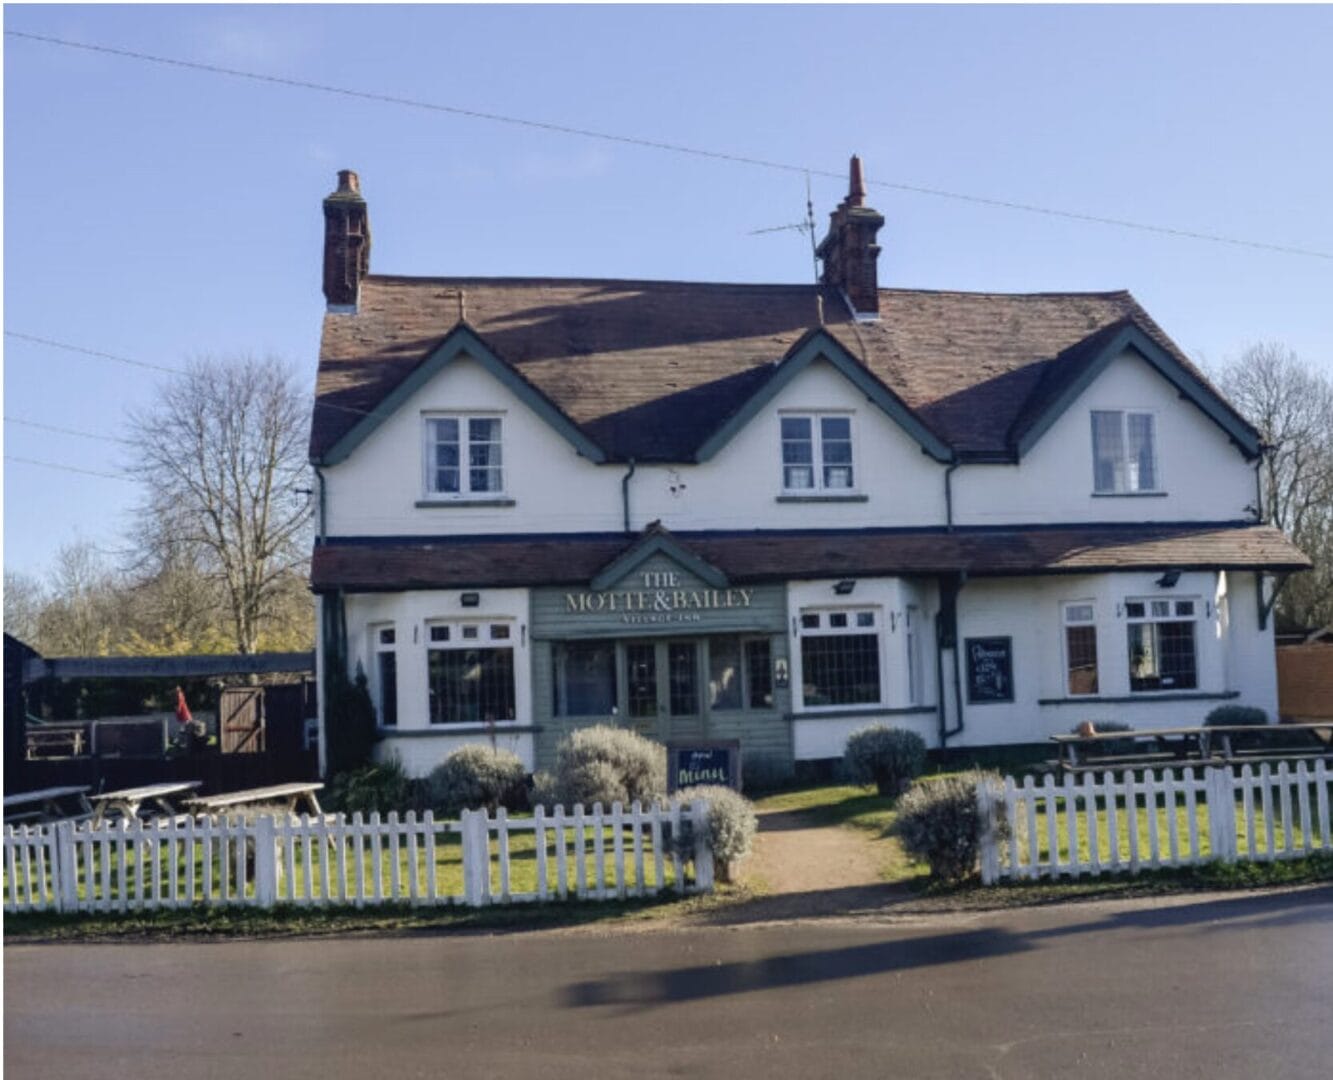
478 861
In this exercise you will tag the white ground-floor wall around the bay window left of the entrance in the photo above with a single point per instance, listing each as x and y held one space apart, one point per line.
422 745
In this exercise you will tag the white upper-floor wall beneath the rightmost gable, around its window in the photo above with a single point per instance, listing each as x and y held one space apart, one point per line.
1206 478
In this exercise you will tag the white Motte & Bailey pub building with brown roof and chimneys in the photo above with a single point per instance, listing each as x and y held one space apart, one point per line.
775 514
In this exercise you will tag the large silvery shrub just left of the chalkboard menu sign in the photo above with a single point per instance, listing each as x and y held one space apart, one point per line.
603 765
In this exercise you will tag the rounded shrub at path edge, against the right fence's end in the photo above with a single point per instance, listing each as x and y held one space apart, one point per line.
940 823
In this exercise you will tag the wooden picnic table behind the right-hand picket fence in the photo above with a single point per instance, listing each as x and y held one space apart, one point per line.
1214 746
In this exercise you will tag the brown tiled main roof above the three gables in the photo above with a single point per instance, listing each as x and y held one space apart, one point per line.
650 370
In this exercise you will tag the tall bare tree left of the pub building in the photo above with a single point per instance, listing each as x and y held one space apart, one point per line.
222 455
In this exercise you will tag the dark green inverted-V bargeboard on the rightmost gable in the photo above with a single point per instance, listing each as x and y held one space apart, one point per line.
1079 367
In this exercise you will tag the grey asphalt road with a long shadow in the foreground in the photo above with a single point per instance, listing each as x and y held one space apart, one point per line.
1236 987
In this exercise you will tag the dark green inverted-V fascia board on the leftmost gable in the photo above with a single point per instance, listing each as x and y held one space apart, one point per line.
463 342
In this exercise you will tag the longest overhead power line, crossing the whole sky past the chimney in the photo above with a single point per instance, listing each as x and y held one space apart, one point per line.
389 99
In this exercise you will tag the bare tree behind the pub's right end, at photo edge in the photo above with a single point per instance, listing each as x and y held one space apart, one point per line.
1292 406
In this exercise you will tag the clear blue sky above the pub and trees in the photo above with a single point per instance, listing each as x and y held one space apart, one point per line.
159 214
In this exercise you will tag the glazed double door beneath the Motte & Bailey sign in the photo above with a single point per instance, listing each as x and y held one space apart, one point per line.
665 683
